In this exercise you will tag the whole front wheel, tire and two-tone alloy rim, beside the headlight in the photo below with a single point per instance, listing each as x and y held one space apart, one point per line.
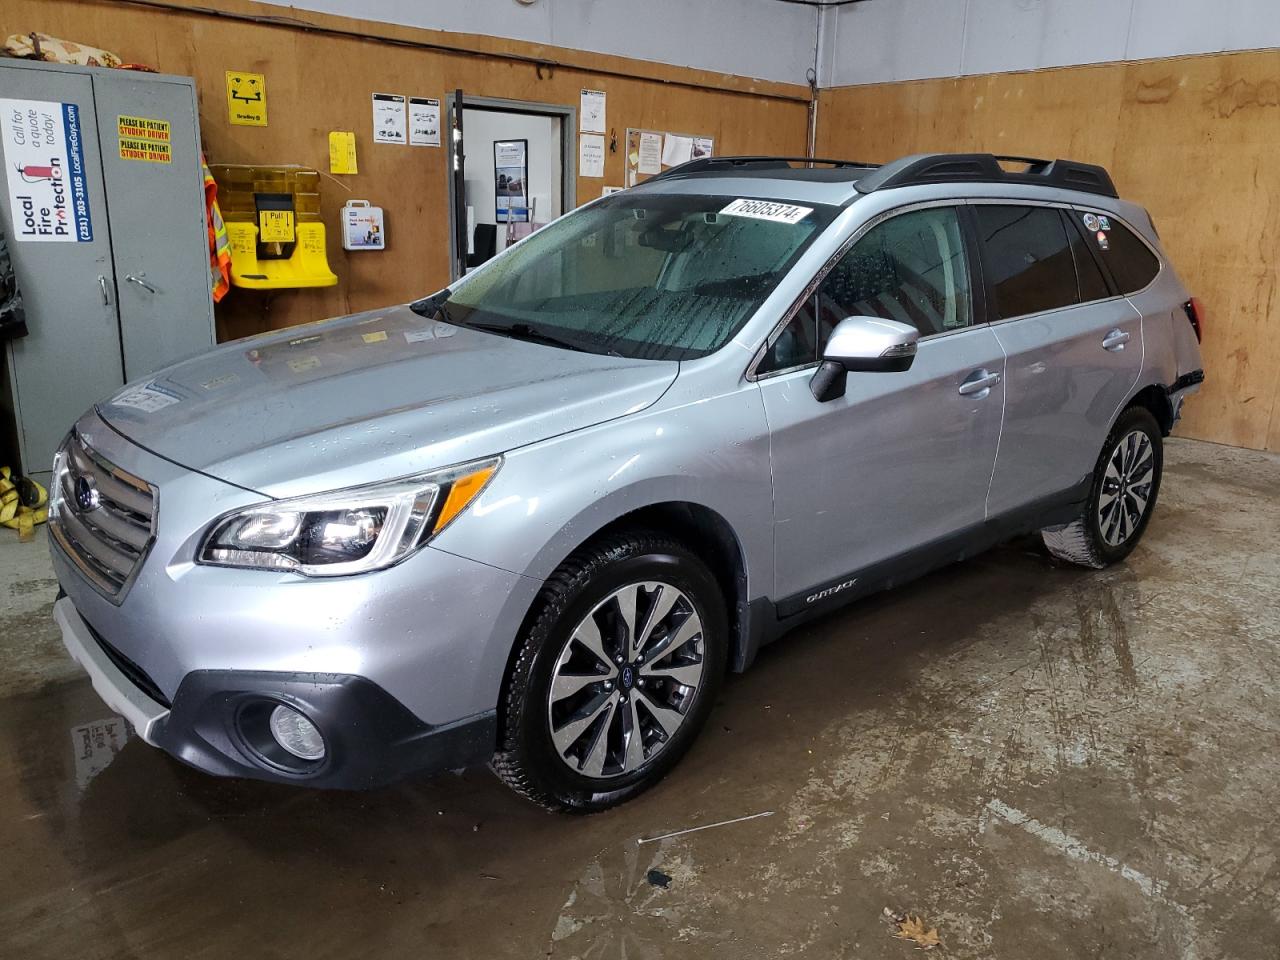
615 675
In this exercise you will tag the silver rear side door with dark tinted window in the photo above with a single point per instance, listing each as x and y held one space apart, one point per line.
1075 351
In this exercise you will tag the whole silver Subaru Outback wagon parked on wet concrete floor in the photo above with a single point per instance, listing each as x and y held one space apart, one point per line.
533 520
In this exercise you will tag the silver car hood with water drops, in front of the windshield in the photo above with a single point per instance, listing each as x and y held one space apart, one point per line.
372 397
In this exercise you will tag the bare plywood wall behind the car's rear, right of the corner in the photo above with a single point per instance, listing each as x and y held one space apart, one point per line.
1195 140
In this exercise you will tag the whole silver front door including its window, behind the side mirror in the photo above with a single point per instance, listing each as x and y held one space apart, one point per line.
904 459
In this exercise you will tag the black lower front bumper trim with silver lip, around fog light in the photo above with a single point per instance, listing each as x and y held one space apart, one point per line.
216 720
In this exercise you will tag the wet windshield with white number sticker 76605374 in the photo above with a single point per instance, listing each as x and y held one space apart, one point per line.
652 277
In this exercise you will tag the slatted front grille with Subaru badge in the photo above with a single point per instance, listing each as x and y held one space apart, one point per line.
102 516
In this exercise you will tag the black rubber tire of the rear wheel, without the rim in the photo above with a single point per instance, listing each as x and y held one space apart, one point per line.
1085 542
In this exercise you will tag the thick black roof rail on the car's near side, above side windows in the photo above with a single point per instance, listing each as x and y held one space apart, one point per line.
985 168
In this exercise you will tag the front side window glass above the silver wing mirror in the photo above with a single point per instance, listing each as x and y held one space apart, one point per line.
911 268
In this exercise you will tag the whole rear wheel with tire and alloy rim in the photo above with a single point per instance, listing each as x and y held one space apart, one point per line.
1126 487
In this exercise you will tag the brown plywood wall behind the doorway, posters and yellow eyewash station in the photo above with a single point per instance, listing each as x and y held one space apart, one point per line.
319 83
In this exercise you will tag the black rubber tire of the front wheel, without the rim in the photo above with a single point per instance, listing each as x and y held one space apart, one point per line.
528 760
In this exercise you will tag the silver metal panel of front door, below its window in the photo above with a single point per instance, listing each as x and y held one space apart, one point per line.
902 460
